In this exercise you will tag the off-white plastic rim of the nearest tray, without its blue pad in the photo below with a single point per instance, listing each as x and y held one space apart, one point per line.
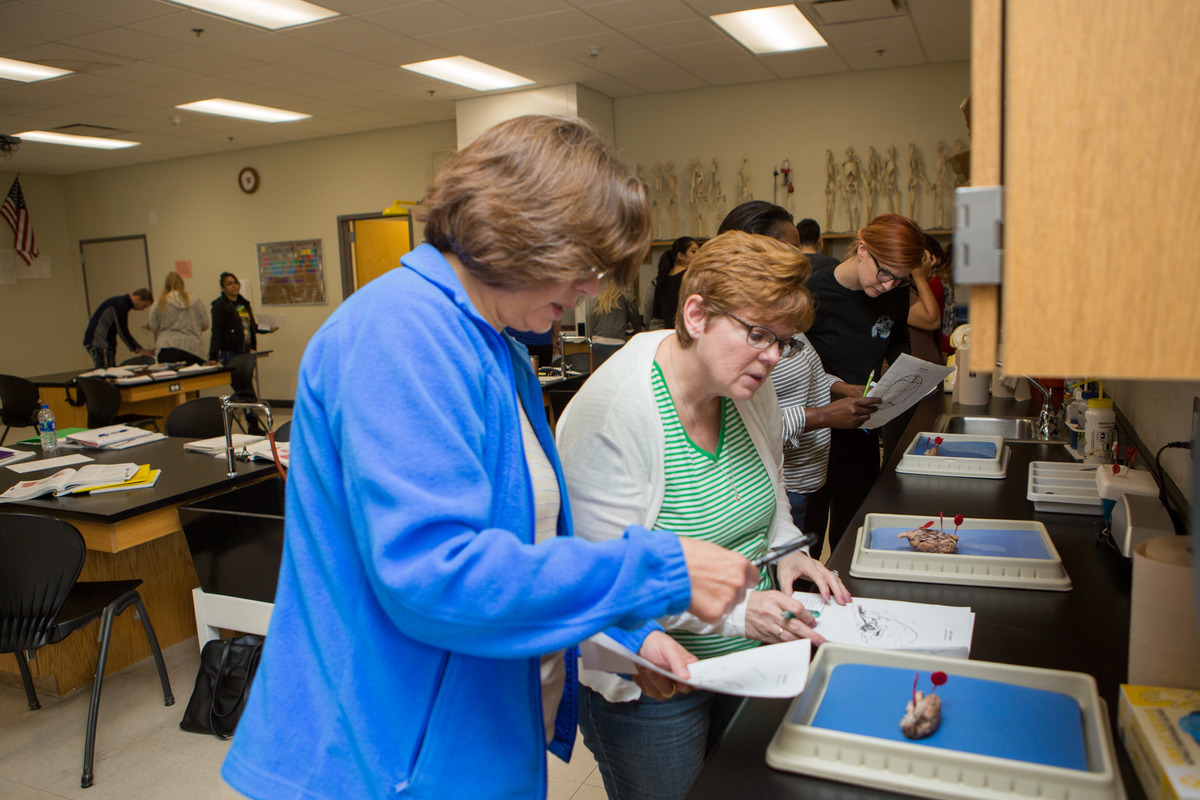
916 769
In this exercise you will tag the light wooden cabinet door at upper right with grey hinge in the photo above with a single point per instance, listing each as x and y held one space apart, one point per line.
1102 181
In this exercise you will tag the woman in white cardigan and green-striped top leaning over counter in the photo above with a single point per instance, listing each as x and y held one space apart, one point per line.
681 431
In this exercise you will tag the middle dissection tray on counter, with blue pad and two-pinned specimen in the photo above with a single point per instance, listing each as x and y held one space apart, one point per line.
1007 554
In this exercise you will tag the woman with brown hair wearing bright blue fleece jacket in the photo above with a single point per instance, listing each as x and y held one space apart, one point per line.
431 596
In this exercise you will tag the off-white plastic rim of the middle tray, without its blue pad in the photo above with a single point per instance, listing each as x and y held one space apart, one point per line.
956 568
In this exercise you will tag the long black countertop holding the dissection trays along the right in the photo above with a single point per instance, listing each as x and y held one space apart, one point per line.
1083 630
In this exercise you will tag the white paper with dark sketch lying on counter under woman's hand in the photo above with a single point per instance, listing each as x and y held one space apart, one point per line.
895 625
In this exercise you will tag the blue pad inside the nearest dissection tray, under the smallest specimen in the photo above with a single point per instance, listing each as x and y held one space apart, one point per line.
980 717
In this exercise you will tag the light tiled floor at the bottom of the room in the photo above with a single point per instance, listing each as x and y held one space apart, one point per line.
141 753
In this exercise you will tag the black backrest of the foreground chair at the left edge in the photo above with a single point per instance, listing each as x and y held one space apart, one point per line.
43 560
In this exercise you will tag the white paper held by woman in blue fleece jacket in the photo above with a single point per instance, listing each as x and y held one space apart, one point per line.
769 671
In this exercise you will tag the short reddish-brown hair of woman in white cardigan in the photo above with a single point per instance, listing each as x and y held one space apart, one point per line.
740 270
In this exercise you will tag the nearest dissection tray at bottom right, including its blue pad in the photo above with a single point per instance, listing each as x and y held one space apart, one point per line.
1007 732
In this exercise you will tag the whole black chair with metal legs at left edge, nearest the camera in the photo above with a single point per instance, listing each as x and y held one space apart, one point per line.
43 603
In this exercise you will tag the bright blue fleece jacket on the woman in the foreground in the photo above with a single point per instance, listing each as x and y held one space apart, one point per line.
413 605
